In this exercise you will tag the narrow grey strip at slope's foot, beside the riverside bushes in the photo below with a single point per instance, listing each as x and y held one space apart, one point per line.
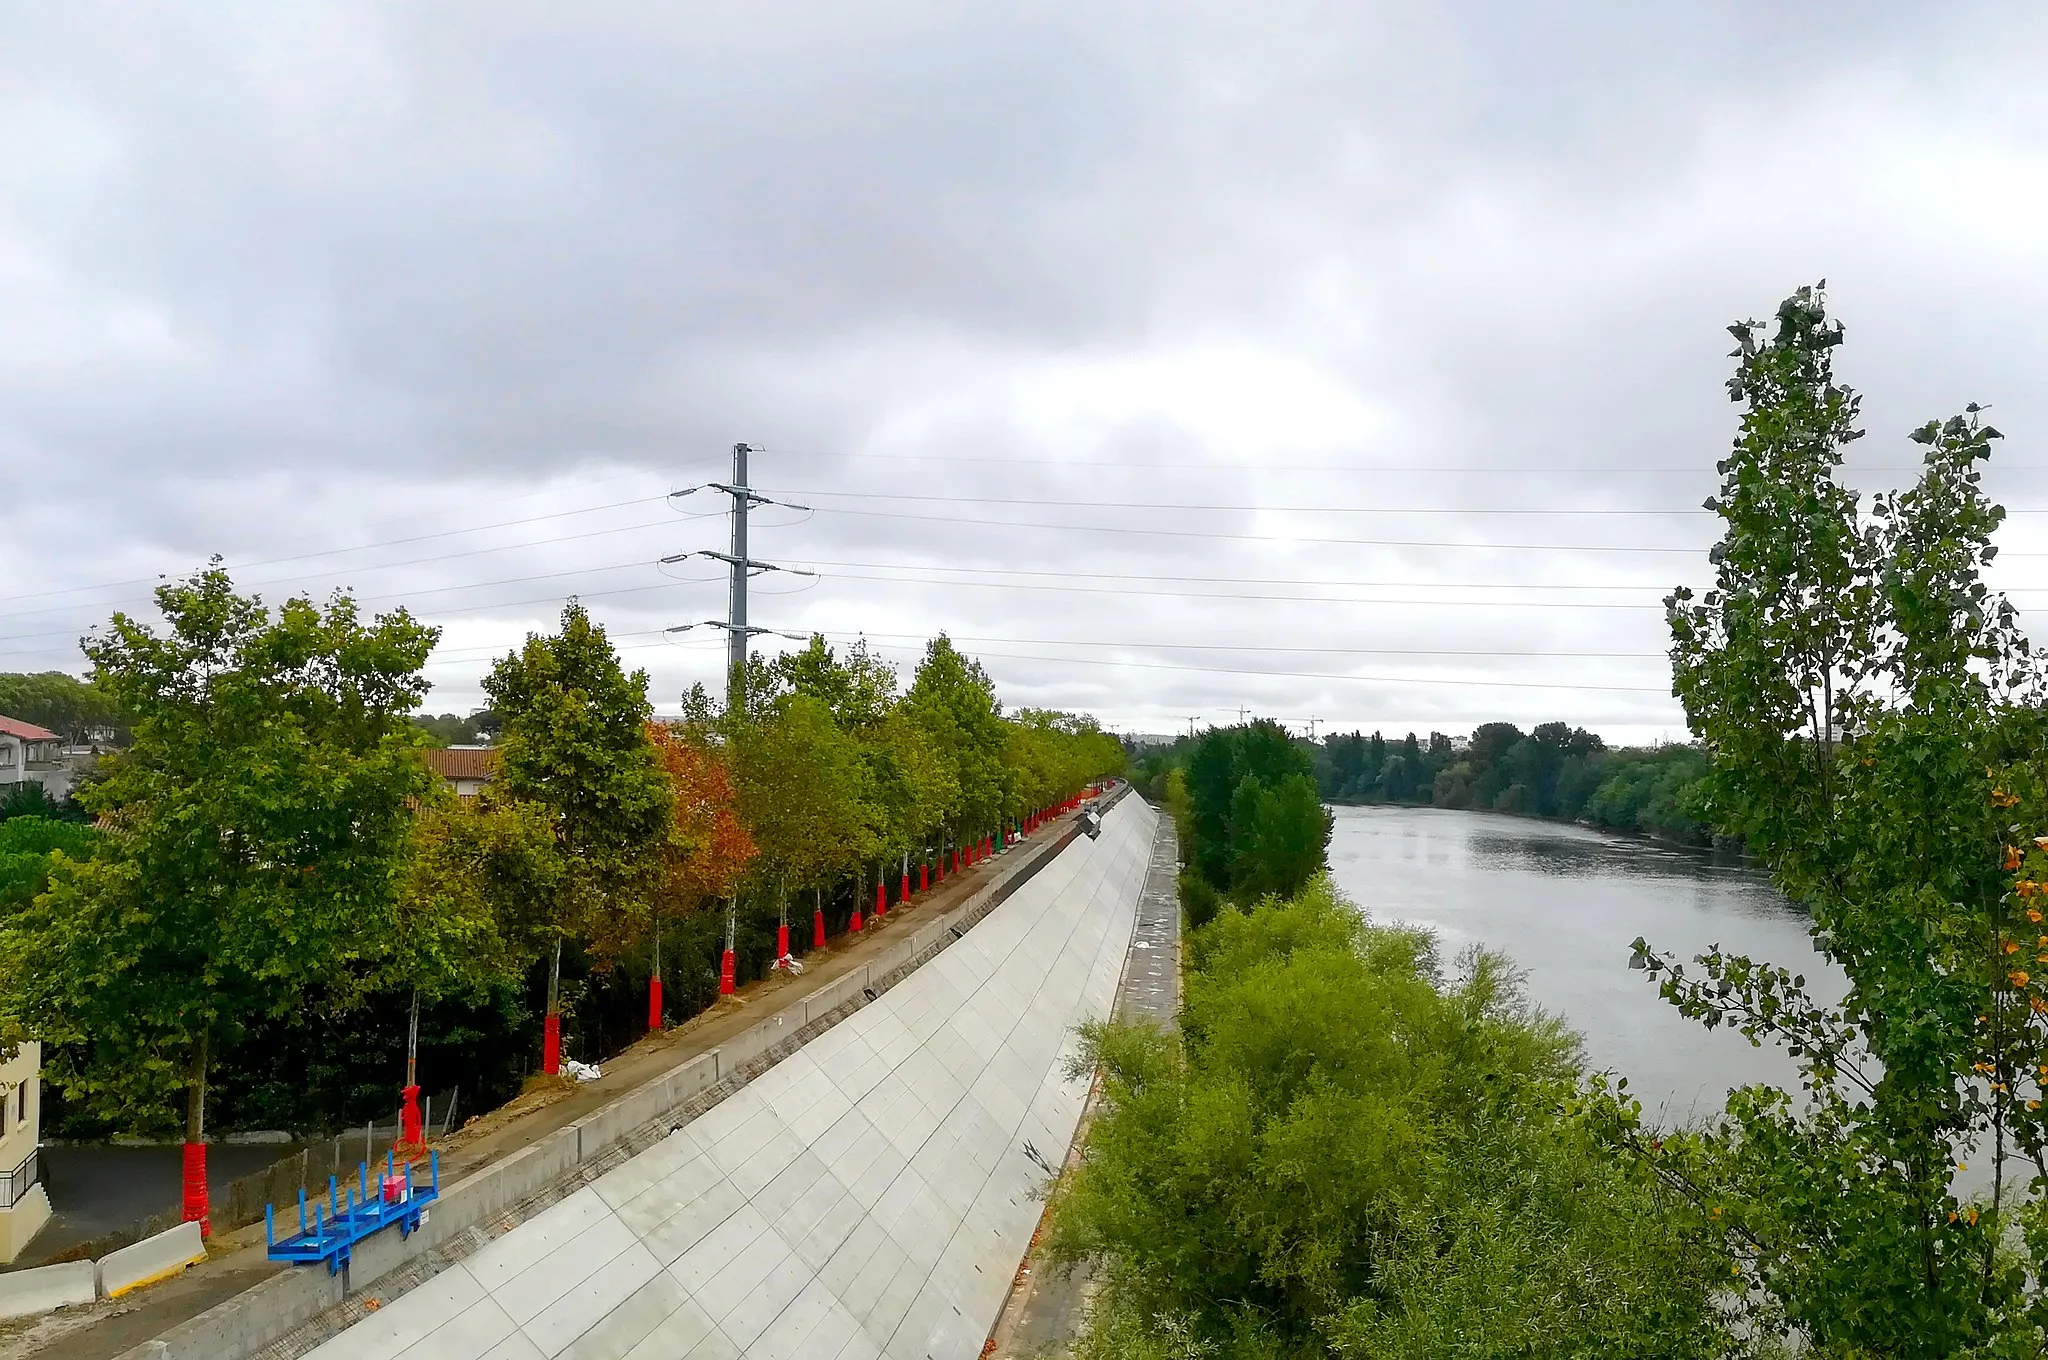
1048 1308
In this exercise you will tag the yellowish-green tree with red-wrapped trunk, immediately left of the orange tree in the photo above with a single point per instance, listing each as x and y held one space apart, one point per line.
574 742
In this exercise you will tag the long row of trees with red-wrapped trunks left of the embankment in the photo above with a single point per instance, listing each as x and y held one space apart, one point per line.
275 874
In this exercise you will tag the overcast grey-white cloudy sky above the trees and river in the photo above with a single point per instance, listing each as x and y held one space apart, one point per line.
1338 362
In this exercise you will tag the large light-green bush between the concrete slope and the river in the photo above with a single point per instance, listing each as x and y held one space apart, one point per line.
1353 1152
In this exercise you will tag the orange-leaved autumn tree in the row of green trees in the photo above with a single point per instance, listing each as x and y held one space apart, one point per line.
710 849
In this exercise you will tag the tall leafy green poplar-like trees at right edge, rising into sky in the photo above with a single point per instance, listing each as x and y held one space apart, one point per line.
1871 712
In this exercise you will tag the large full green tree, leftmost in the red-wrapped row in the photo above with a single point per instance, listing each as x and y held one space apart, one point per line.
253 851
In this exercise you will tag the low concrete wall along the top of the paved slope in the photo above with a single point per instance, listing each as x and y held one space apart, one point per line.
290 1302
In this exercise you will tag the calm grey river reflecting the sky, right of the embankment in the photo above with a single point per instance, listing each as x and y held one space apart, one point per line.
1566 902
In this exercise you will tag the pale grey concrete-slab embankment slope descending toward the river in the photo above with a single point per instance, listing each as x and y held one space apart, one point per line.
867 1197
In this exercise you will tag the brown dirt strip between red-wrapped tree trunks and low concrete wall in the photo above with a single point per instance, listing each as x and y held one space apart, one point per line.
237 1261
